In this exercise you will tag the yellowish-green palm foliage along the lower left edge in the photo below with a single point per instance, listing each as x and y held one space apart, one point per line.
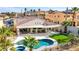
4 42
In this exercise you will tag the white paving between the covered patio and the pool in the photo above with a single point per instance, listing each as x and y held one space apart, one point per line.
37 35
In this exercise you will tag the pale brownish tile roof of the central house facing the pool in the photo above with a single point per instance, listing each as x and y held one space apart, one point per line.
32 21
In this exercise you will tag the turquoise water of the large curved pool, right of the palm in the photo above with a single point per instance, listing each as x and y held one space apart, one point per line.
43 42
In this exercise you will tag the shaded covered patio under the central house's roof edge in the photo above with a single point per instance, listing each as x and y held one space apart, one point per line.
37 30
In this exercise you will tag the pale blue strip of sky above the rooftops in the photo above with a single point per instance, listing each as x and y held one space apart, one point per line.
18 9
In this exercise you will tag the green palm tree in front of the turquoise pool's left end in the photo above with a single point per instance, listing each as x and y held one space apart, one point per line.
29 42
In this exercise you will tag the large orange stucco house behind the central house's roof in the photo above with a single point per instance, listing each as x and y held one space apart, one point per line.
58 17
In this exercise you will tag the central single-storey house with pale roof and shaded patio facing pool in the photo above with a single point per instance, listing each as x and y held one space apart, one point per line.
36 25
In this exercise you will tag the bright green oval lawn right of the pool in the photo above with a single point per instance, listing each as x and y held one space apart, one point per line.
60 38
